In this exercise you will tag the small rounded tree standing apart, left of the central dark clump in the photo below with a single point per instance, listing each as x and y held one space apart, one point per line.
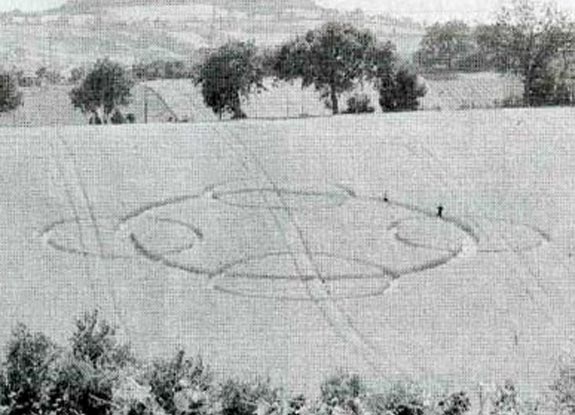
104 89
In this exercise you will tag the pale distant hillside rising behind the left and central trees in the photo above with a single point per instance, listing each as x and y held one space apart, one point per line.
130 31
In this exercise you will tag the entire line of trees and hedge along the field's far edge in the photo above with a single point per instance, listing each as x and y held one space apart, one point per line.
532 40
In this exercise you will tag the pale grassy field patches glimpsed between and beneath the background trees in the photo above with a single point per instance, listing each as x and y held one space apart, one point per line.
50 105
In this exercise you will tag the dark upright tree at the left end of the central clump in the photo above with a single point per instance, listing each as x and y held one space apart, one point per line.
231 72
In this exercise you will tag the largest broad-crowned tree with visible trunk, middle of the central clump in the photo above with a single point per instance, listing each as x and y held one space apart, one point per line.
333 58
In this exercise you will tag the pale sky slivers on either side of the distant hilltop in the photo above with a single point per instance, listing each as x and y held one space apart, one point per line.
420 9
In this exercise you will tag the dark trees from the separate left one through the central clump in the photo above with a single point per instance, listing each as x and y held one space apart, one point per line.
334 58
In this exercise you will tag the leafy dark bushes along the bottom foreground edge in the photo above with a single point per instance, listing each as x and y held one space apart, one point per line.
95 374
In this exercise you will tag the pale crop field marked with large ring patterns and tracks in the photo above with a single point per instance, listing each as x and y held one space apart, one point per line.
293 248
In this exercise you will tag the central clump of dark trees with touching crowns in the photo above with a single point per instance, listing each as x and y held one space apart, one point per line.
334 59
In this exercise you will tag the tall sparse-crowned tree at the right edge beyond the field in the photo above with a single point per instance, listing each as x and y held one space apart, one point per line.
527 40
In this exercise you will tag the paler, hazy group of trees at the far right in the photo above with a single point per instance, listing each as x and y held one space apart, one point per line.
531 40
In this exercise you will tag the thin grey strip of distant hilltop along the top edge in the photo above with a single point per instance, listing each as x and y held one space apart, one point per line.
261 6
